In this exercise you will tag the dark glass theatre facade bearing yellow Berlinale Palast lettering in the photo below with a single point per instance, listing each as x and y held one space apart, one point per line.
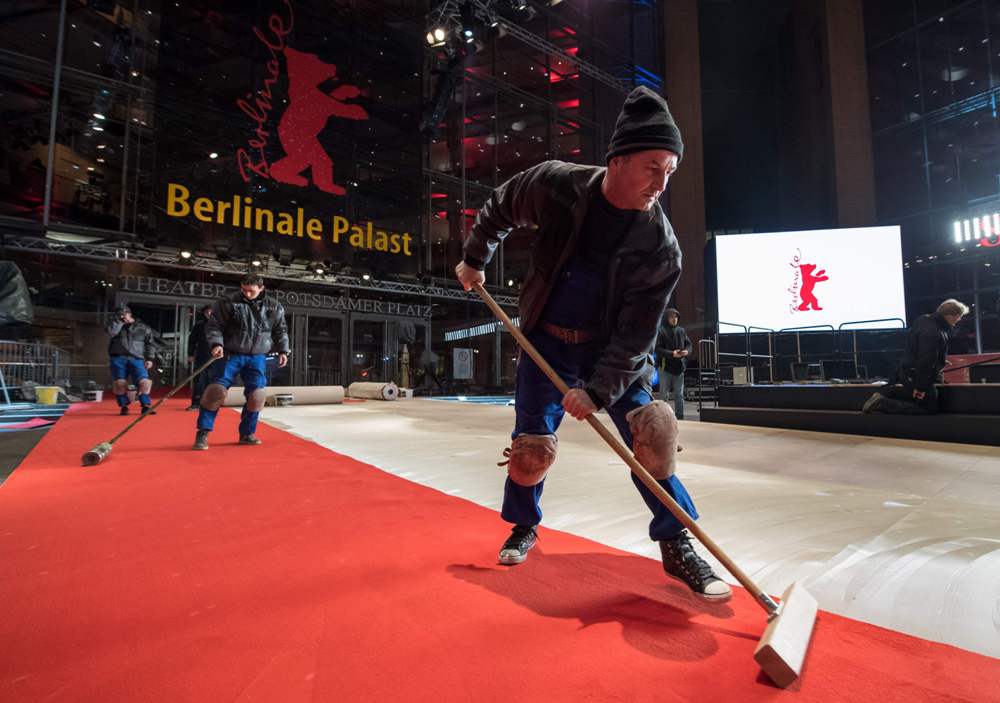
291 137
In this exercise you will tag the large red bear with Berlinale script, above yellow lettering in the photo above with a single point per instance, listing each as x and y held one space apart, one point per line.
309 109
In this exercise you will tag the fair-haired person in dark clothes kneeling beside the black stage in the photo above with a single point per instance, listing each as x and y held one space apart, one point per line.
915 390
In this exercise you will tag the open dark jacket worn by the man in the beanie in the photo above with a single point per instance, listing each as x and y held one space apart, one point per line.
554 197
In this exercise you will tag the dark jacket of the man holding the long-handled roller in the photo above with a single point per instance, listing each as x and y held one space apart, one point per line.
244 326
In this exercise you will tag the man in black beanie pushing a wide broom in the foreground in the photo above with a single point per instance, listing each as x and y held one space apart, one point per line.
602 270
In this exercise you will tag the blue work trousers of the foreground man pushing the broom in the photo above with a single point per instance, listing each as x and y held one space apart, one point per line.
538 407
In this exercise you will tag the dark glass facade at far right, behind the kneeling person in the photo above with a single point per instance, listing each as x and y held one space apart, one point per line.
934 82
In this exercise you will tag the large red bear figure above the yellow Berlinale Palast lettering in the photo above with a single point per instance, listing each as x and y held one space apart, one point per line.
308 111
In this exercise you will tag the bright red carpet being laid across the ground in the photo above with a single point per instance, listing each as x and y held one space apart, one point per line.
287 573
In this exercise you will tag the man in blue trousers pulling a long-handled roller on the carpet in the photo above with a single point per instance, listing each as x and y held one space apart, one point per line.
243 328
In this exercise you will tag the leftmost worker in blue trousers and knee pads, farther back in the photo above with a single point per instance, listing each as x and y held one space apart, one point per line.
131 354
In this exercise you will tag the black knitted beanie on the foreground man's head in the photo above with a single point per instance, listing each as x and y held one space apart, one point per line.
645 122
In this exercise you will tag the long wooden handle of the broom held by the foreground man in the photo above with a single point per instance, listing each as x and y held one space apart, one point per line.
765 601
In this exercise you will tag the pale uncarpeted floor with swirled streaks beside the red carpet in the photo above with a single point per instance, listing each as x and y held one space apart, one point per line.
898 533
